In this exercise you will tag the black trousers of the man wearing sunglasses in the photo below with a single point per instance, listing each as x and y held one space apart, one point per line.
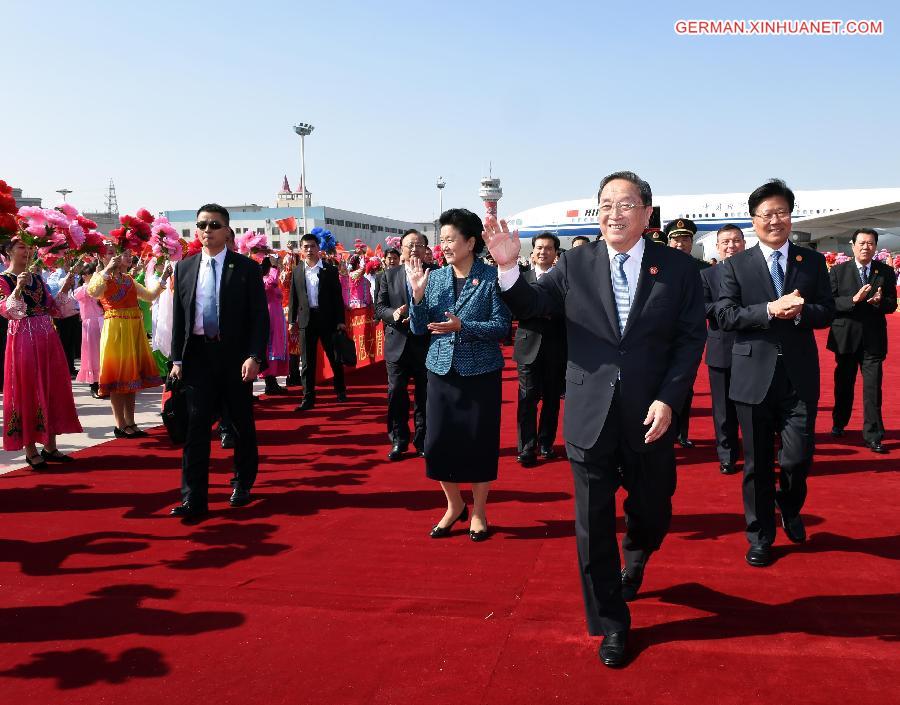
212 384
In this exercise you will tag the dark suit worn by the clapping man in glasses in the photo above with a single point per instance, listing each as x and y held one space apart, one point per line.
774 378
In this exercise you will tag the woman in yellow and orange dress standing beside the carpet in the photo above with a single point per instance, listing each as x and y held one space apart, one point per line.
126 363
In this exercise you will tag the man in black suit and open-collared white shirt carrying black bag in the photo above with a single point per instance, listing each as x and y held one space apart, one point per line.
317 309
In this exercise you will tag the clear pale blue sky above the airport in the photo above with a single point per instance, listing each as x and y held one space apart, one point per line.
187 102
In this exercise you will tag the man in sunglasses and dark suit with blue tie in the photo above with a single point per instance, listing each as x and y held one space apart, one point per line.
220 329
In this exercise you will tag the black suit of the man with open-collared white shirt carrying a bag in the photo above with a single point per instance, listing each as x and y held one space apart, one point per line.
317 324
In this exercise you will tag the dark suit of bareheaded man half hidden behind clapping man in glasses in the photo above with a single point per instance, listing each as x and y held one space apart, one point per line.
718 364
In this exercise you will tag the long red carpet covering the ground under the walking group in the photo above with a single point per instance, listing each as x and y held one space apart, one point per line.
327 589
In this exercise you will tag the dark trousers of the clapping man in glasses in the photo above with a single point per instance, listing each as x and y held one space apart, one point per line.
783 412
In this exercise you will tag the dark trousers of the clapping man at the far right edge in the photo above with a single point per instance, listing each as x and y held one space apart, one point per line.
844 383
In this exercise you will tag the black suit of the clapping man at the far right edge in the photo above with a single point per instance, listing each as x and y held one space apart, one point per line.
858 338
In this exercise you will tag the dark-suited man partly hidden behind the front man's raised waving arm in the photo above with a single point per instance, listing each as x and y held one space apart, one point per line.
539 353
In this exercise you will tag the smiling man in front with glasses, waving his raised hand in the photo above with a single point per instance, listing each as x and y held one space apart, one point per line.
635 327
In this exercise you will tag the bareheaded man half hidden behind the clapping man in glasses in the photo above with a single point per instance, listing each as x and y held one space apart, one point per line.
729 241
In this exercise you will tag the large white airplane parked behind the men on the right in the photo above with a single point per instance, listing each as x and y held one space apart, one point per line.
821 219
